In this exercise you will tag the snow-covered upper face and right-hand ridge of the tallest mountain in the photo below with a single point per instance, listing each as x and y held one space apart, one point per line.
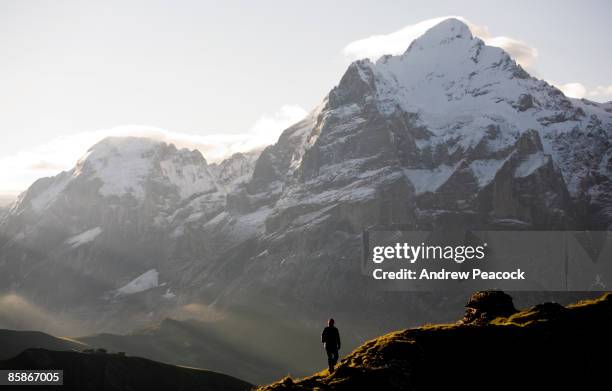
458 88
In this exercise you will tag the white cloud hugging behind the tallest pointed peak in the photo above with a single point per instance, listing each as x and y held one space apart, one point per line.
398 41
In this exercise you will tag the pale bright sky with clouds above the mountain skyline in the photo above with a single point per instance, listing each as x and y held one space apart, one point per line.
229 76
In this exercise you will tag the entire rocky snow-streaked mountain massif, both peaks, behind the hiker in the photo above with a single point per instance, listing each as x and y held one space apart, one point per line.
452 133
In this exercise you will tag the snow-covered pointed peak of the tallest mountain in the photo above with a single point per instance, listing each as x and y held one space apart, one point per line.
447 67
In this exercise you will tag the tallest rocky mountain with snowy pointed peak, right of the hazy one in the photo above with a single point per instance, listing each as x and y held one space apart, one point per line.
452 133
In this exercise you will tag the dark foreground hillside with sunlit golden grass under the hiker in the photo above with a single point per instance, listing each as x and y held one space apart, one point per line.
494 346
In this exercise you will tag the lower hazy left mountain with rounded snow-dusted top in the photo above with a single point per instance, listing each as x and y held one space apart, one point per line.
105 230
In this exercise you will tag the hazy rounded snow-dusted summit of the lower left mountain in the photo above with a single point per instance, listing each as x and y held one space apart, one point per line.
127 166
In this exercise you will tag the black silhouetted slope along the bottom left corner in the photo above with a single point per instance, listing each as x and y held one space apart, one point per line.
99 370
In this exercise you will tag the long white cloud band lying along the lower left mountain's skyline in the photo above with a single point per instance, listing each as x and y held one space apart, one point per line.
48 159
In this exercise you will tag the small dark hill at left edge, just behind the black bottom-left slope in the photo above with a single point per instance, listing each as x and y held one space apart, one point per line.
14 342
